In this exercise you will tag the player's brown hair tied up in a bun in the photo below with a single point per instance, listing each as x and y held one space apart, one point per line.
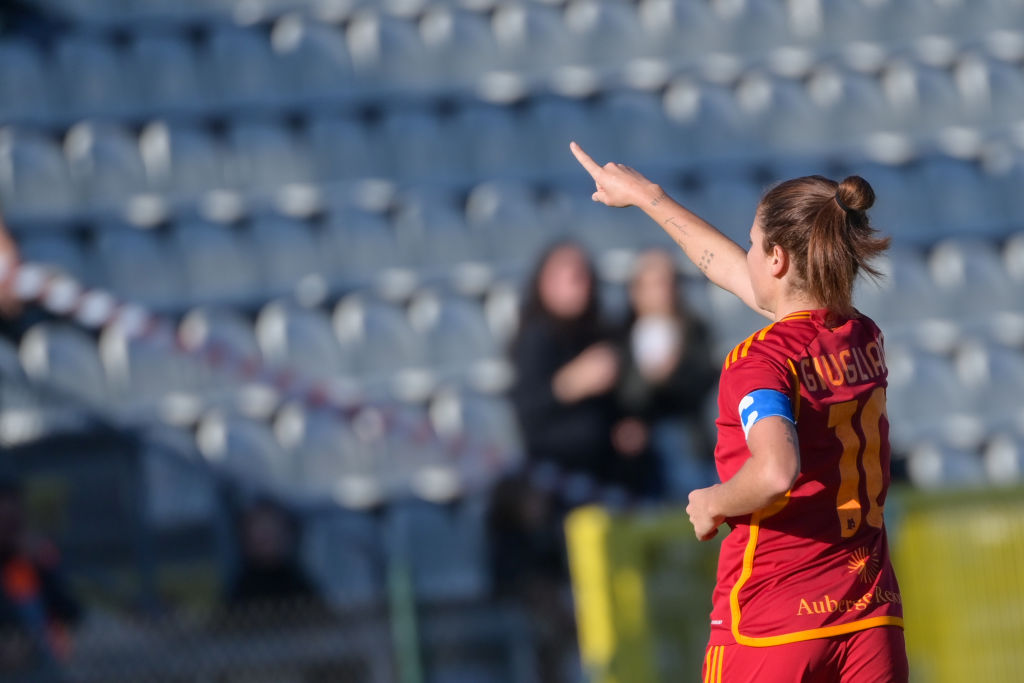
824 227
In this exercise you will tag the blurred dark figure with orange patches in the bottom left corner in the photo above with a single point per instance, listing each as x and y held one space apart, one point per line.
36 610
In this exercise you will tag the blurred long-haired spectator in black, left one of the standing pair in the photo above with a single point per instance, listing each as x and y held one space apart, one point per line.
566 366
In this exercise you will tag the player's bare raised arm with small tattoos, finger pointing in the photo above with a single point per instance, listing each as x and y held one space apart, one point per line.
721 260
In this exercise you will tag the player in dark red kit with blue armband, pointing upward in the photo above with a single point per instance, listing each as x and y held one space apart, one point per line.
805 589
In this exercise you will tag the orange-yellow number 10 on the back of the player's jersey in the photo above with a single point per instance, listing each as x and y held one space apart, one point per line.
841 418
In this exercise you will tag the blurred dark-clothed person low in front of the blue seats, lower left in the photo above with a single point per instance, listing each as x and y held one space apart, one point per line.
270 572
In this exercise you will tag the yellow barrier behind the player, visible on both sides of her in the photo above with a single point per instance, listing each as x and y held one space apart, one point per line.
644 587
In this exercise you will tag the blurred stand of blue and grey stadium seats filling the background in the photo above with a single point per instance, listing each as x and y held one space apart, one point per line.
354 191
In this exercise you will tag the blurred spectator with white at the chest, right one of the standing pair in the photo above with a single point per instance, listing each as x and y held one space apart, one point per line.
667 372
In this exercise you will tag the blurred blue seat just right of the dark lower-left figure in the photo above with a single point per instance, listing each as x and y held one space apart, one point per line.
344 552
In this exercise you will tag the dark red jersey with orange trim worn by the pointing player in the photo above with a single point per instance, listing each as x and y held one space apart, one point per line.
817 564
